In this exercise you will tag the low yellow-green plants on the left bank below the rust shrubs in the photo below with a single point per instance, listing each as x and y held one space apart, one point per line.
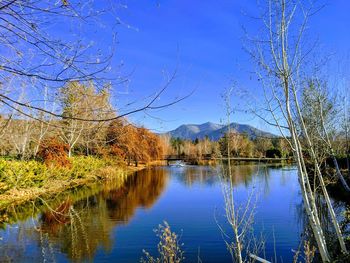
22 181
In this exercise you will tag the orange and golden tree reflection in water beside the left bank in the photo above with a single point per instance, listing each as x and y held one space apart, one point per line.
92 221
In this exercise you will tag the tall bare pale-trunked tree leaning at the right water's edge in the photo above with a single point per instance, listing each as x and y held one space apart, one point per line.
281 53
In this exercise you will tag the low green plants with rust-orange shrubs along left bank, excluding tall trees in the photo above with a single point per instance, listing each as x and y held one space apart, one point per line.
52 170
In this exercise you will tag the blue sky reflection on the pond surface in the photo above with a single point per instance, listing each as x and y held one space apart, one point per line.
188 201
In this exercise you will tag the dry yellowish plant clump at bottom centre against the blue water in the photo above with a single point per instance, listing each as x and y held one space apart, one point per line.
169 249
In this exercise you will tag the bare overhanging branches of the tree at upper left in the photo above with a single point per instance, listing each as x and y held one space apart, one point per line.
35 54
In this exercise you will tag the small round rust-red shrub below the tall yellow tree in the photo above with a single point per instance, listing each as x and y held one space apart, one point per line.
54 153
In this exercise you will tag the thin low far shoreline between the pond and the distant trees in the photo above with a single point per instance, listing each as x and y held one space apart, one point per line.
208 157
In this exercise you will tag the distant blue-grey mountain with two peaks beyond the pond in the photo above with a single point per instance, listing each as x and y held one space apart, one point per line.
215 131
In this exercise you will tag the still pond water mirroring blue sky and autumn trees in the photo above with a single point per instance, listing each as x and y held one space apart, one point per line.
115 222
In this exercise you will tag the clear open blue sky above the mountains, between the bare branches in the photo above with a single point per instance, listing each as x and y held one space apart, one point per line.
203 41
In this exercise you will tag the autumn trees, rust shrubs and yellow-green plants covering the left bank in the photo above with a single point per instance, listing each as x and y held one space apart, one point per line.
41 157
